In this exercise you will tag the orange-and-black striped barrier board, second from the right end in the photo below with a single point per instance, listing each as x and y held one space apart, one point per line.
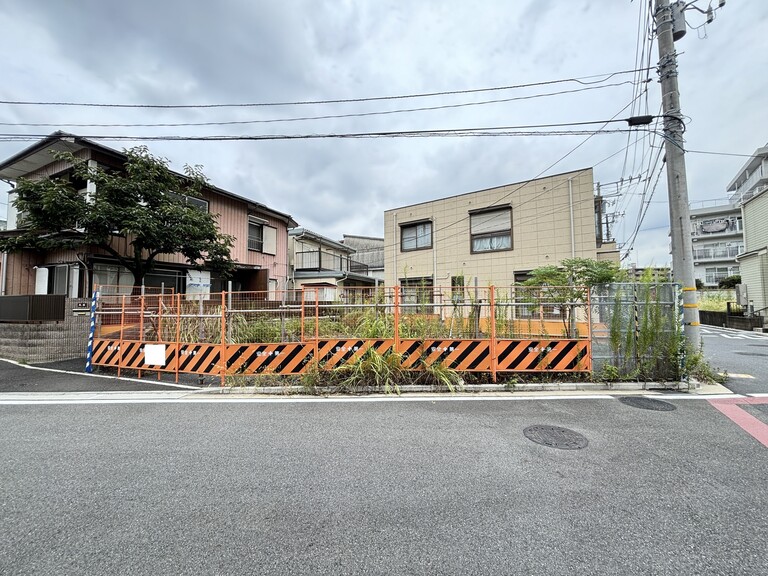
462 355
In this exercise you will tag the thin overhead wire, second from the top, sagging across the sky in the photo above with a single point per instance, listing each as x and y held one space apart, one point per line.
305 118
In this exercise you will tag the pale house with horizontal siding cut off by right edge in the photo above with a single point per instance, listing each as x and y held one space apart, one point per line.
754 261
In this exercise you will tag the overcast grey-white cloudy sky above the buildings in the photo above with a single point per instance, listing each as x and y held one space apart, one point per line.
176 52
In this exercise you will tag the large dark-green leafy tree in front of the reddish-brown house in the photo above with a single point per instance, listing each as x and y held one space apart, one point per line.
145 203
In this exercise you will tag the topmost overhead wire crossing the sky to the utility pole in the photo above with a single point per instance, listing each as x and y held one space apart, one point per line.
580 80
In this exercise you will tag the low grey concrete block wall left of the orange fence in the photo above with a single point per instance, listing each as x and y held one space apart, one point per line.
49 341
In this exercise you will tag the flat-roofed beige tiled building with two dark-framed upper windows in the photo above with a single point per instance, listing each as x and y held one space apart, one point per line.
495 236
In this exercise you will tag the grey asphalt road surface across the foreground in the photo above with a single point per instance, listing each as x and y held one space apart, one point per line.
378 487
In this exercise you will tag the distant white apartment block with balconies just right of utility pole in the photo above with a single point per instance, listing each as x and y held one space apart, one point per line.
718 238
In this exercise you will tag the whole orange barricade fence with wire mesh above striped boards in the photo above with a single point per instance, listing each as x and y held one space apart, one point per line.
473 329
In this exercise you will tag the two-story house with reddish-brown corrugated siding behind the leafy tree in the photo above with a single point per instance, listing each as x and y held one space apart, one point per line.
260 232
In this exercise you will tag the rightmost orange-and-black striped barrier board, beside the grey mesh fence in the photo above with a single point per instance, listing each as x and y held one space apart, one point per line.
543 355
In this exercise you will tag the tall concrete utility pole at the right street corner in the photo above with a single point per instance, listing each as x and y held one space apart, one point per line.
670 26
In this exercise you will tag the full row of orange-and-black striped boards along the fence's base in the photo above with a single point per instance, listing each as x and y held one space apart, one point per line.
293 358
